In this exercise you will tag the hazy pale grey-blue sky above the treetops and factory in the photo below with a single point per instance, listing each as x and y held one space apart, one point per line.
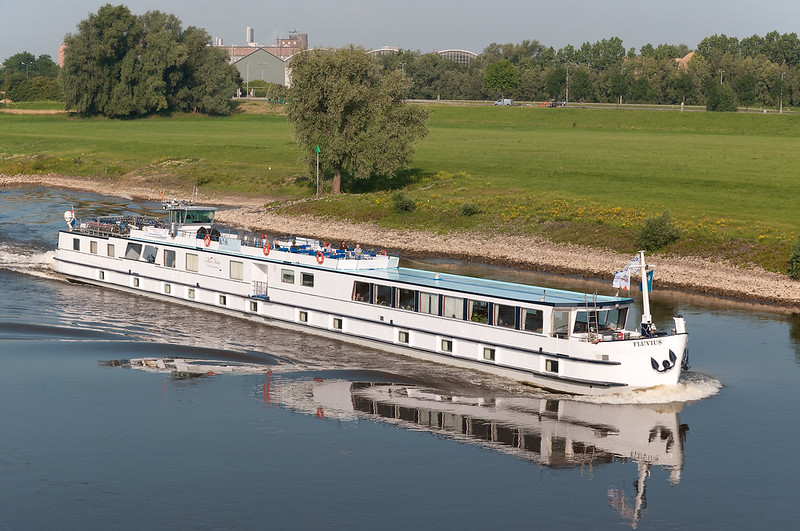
39 26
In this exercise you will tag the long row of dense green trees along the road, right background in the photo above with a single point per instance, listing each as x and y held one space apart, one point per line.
753 71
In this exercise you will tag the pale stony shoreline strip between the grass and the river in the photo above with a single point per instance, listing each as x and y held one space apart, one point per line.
692 274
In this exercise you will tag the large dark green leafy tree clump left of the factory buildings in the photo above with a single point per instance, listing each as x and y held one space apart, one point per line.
119 64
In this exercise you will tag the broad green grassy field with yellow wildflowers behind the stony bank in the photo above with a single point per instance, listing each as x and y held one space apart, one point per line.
575 175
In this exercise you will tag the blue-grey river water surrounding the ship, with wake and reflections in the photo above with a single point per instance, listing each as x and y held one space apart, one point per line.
277 429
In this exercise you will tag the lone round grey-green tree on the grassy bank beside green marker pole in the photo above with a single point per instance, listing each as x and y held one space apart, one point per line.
342 101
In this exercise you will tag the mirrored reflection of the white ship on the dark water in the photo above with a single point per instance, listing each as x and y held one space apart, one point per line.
558 433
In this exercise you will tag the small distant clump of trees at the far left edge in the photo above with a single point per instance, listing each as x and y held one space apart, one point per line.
25 77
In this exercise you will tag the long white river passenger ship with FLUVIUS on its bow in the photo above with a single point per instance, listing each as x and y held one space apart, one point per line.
560 340
